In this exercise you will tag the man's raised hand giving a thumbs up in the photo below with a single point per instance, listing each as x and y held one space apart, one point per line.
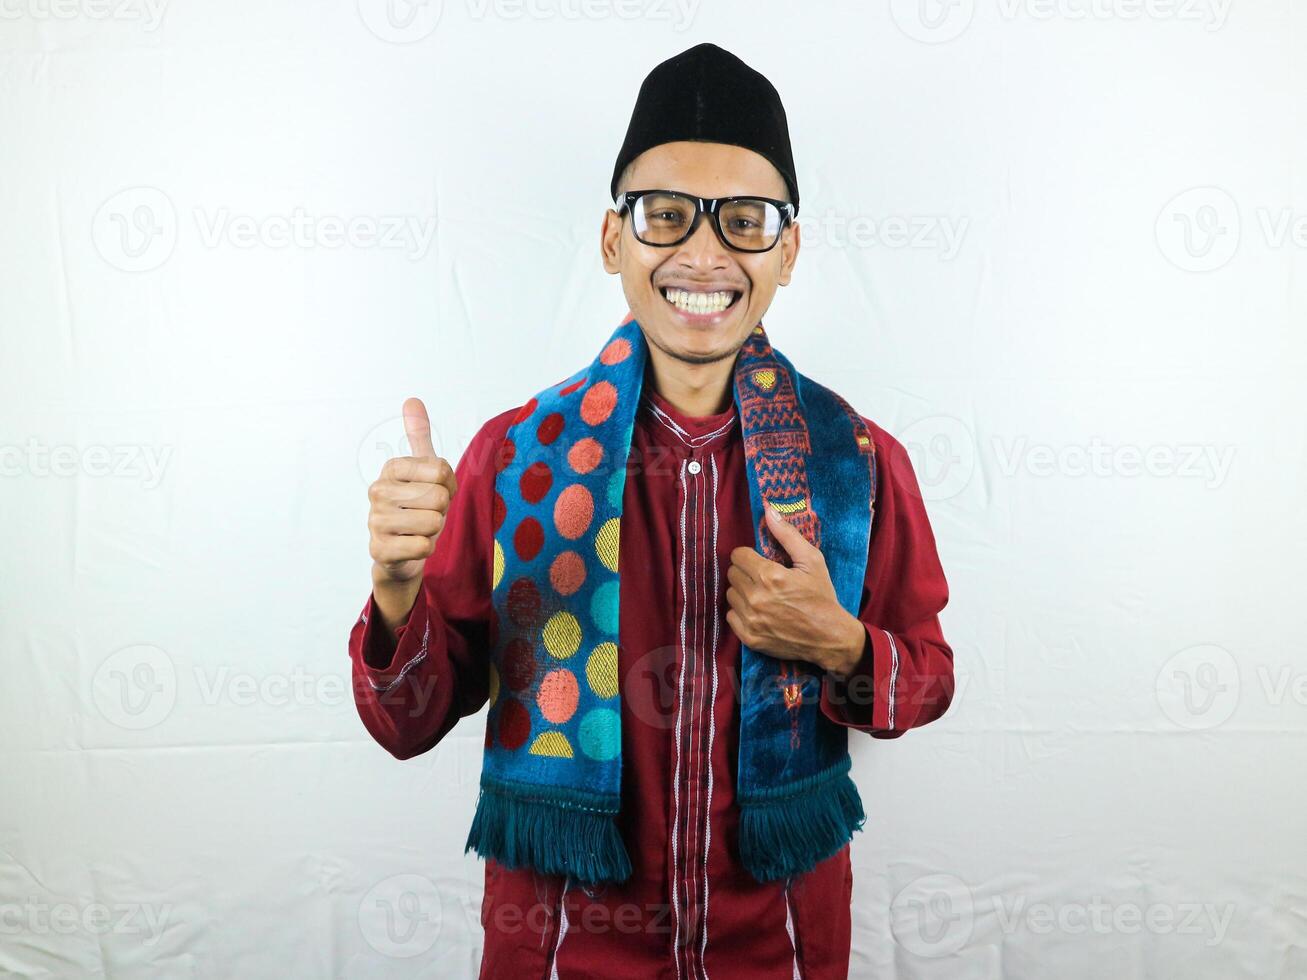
410 504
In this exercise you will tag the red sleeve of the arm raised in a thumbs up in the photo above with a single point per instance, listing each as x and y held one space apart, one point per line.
414 684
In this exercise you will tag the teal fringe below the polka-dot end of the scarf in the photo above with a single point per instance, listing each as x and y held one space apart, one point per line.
555 838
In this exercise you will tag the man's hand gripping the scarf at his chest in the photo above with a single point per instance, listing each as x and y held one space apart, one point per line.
791 613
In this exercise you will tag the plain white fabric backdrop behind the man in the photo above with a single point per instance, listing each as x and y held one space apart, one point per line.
1055 246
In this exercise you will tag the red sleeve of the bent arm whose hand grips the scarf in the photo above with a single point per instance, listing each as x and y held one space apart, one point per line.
905 676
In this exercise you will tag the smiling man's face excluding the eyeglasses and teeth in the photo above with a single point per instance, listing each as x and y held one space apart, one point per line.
703 263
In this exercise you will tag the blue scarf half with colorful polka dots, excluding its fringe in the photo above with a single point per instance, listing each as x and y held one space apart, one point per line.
557 543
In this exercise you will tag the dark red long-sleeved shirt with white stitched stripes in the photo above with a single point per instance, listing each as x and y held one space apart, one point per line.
691 910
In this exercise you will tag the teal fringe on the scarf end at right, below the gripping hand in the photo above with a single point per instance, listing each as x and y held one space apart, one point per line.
789 830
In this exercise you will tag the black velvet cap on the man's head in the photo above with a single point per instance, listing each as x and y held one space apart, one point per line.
709 95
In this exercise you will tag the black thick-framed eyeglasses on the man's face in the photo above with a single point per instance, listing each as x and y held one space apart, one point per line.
665 219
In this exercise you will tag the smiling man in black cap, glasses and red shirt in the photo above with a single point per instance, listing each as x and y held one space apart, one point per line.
676 803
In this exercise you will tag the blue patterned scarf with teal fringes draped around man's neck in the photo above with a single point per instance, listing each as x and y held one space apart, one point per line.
551 782
